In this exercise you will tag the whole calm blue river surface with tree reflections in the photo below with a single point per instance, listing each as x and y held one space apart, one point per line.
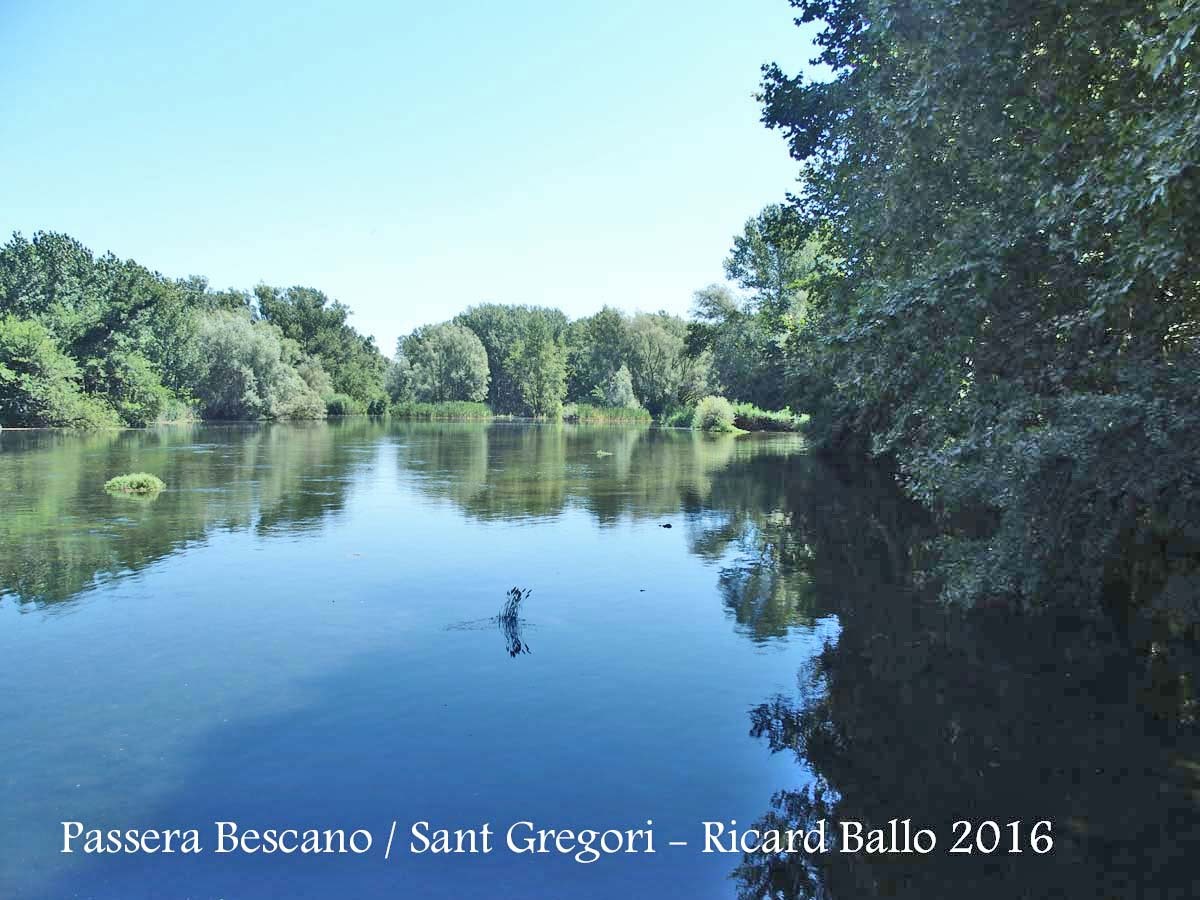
299 634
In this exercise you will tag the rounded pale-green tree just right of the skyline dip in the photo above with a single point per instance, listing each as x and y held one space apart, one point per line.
445 363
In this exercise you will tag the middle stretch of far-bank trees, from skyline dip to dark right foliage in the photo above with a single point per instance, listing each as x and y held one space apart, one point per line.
530 361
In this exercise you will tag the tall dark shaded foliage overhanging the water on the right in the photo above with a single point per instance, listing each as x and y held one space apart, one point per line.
1007 296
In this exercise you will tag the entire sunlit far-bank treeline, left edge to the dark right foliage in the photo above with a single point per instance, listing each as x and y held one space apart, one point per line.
91 341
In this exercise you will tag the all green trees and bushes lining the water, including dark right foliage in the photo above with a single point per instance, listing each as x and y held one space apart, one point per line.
988 281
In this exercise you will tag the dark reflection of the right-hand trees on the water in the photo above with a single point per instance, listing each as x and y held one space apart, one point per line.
938 716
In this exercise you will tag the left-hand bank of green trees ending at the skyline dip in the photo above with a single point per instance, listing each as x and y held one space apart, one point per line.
91 341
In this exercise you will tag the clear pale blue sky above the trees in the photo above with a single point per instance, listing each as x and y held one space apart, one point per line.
407 159
